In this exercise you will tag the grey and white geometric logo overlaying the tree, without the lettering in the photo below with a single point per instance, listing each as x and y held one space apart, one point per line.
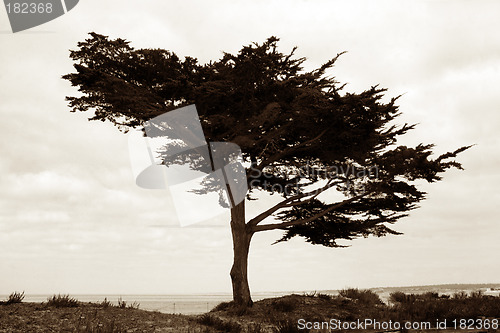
204 179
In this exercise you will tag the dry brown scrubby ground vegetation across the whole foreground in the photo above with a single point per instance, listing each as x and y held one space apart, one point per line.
62 313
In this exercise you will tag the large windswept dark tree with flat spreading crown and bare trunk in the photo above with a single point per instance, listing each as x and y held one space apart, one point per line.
300 135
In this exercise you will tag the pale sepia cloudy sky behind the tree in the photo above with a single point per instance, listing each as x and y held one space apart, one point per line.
73 221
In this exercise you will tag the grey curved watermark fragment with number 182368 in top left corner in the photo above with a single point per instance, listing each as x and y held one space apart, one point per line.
26 14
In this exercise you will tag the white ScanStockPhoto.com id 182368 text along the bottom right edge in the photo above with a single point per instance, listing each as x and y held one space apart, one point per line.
363 324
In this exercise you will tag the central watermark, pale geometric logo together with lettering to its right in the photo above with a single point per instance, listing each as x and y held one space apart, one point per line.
205 179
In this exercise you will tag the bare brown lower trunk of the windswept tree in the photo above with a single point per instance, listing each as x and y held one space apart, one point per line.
241 245
